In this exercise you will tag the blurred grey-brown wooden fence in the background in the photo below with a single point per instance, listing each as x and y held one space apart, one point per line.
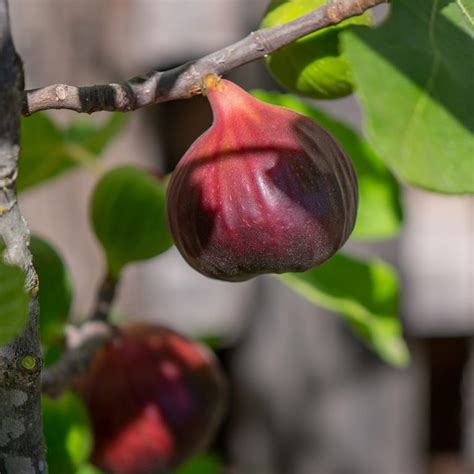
306 396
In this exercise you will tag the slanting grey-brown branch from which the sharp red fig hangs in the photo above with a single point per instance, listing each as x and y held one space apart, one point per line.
186 80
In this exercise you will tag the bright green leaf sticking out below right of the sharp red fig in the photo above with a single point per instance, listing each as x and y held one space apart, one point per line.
365 293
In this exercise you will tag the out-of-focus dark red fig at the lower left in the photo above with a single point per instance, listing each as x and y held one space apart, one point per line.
154 397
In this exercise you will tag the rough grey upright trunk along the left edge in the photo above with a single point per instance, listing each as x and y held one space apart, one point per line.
21 437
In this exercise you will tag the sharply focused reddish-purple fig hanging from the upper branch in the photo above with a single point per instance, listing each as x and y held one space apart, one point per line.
263 190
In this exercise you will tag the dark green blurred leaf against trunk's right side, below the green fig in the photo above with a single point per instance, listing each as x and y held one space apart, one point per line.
55 292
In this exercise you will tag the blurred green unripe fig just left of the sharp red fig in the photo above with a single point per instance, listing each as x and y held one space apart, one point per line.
129 217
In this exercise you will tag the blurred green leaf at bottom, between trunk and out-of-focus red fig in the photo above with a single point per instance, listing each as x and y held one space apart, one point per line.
67 433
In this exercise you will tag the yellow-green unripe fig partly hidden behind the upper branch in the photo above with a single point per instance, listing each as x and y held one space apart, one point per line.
312 66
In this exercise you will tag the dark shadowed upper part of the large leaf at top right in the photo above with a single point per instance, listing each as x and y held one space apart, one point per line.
437 58
